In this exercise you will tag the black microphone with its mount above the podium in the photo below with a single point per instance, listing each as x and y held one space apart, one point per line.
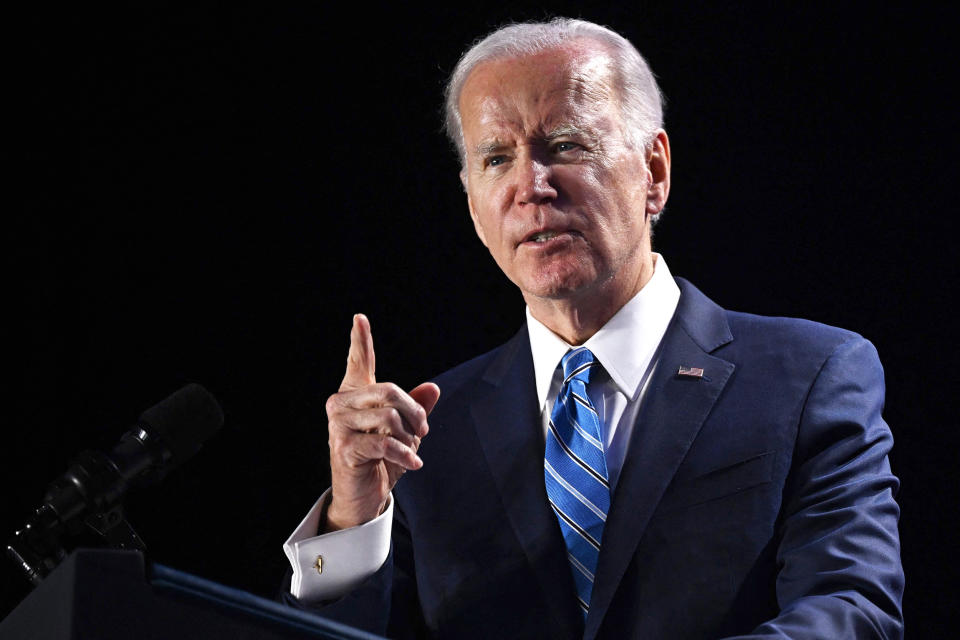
89 494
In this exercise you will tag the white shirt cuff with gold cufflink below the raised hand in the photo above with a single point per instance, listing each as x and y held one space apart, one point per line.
346 557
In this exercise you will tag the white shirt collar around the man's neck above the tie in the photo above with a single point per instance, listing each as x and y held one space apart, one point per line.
625 345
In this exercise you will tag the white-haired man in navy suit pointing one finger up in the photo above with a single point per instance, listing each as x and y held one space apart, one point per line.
742 486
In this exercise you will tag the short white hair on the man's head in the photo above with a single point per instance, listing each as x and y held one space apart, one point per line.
641 103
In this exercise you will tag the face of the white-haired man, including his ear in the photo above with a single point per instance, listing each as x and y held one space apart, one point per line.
556 192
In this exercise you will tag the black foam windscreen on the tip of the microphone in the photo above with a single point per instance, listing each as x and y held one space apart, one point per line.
184 421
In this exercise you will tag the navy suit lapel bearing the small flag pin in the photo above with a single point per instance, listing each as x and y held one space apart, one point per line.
673 411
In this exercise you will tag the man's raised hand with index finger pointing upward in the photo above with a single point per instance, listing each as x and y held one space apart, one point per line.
375 431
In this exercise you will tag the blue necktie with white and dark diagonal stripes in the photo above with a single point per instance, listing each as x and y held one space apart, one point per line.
575 471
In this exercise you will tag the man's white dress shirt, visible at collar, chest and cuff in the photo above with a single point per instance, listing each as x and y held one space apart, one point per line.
626 346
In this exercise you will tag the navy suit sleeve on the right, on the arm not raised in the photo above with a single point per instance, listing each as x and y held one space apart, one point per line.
840 574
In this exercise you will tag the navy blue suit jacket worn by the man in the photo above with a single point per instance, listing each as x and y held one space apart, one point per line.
756 501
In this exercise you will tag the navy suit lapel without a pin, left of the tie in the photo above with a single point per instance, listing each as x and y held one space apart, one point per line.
507 420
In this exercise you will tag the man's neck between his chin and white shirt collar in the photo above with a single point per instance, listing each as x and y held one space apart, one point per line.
576 317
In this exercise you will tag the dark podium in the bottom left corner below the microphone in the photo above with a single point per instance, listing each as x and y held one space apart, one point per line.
100 594
